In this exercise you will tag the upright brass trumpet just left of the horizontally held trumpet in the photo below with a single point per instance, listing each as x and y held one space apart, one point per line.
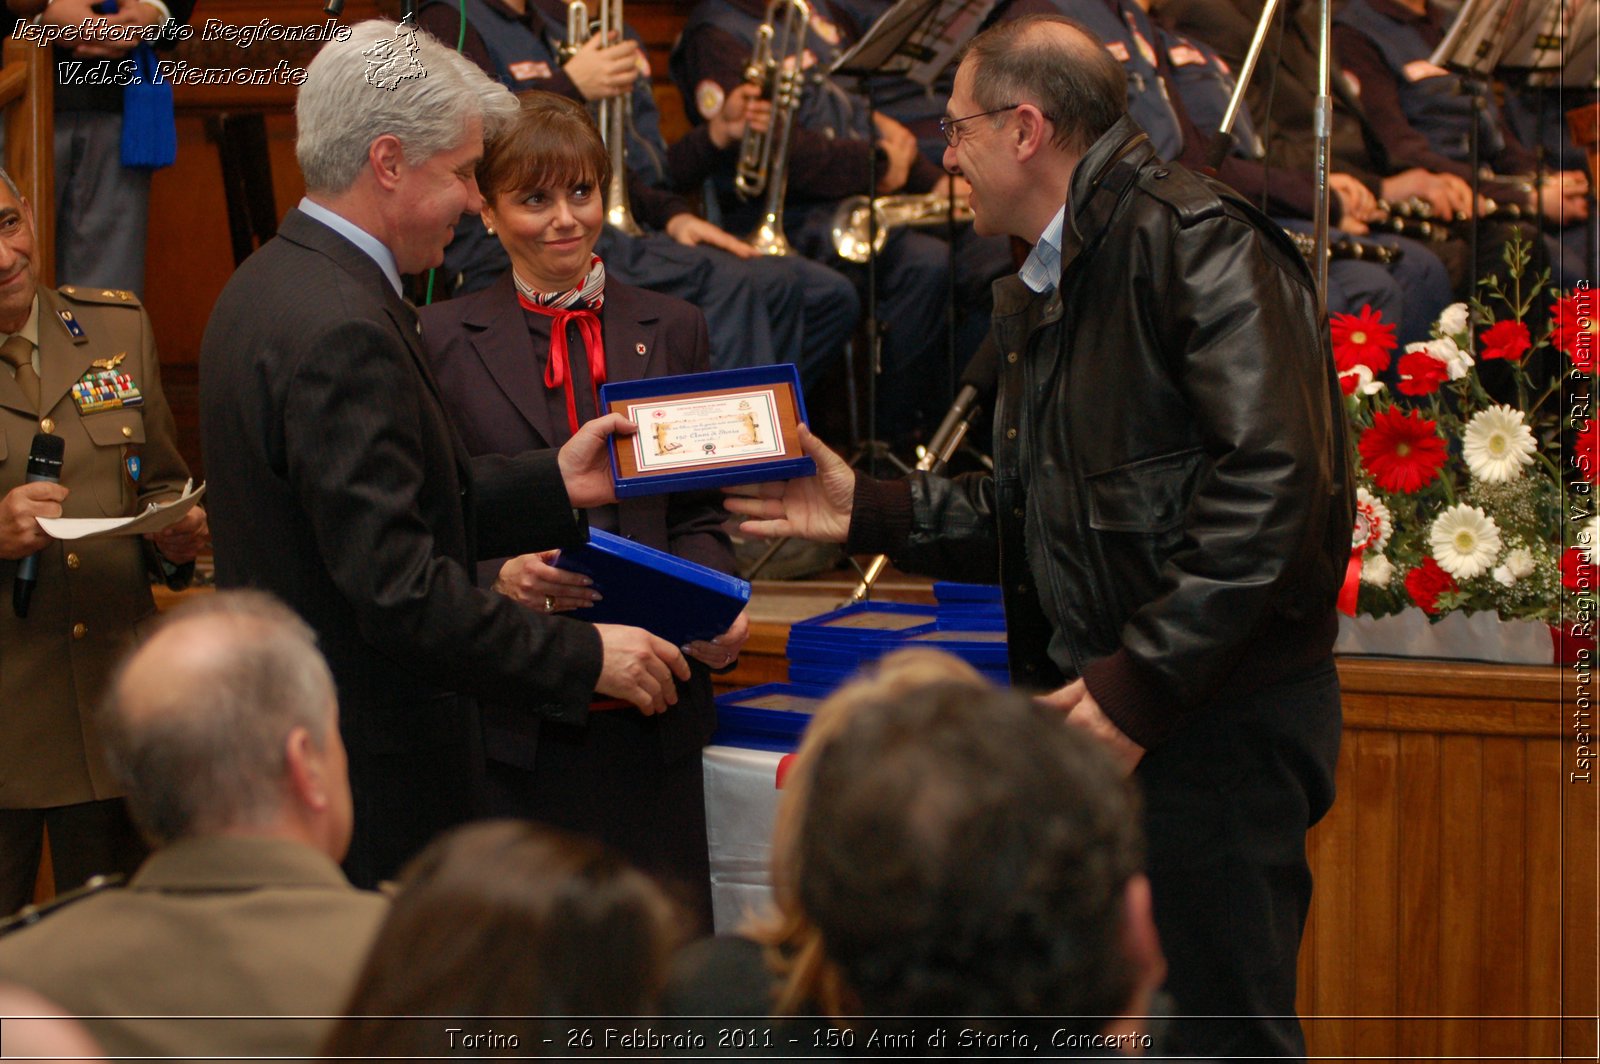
764 158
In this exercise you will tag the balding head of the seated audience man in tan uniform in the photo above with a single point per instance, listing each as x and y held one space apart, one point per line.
226 724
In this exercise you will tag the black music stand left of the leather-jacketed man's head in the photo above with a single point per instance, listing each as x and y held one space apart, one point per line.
913 39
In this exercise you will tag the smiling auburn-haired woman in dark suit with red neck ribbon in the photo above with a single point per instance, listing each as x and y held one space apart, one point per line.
519 367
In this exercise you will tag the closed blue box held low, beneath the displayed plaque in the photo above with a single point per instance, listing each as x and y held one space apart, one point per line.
668 596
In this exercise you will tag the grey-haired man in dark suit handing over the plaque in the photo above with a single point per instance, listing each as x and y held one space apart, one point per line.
338 481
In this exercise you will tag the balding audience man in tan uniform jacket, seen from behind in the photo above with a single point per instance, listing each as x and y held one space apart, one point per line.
225 732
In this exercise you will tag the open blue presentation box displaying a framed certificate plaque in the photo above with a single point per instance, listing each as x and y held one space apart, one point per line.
708 430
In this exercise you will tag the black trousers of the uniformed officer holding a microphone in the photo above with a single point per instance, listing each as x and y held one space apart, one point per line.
86 841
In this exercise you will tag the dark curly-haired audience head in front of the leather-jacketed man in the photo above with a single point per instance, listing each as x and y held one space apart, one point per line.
969 855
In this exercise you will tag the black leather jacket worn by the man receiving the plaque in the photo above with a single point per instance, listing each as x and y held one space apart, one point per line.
1170 511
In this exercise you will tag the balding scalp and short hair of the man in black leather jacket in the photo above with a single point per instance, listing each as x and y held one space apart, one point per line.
1057 65
